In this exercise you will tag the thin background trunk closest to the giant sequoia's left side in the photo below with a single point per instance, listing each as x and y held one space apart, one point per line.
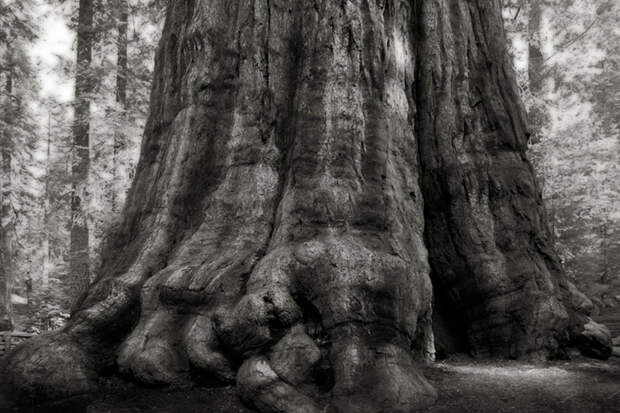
121 99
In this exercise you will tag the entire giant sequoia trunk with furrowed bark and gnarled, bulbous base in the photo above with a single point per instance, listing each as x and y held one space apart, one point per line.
307 168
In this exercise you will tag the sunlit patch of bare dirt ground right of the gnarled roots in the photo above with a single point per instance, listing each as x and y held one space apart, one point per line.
578 386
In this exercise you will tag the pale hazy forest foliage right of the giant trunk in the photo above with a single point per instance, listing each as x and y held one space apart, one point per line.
576 145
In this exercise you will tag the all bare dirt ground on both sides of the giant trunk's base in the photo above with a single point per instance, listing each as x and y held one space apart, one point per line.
578 386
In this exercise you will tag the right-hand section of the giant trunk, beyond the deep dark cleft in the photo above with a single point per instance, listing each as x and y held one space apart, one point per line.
496 276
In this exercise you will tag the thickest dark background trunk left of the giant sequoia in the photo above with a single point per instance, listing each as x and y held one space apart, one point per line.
79 248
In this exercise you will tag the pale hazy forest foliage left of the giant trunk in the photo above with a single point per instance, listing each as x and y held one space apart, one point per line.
38 71
